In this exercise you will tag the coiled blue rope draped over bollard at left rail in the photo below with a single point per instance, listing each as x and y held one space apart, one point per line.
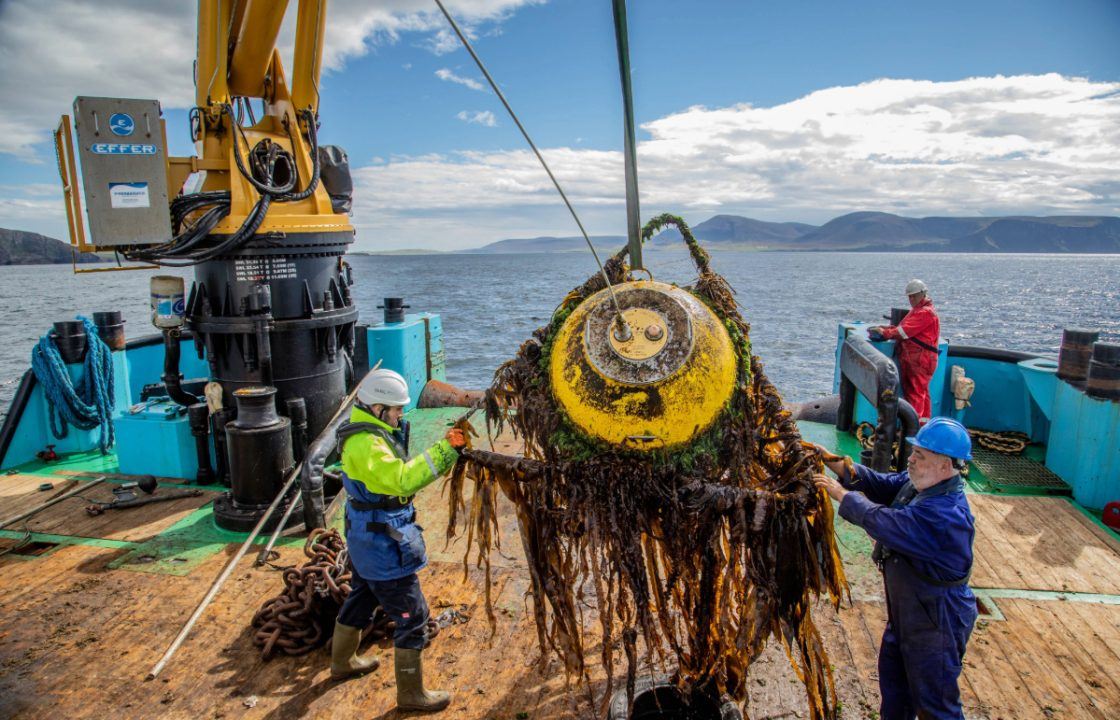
86 406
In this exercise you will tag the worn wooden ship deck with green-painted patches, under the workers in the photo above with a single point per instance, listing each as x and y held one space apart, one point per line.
91 605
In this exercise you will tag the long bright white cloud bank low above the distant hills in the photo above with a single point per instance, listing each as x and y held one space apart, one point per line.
988 146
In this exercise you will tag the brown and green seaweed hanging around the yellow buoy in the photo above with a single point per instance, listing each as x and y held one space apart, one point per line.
704 553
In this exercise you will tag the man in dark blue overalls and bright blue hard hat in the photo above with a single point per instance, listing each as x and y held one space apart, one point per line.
923 534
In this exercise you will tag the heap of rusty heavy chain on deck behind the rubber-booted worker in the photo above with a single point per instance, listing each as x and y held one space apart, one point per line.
293 622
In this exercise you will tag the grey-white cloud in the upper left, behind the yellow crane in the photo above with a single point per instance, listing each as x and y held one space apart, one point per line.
53 51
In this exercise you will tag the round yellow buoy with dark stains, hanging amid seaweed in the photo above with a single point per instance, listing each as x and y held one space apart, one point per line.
658 387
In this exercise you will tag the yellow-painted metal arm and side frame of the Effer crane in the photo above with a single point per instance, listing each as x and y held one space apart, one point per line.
237 58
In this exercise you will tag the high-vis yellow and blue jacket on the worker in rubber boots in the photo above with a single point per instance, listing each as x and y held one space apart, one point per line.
387 544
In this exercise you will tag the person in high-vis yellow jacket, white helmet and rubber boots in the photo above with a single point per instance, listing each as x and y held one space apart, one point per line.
386 544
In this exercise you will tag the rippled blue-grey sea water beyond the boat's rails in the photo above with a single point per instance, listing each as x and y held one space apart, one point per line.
491 304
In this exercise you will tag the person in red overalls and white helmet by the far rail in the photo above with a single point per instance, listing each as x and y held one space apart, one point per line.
918 336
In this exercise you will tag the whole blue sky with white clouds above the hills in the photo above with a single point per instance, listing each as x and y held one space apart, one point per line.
779 111
